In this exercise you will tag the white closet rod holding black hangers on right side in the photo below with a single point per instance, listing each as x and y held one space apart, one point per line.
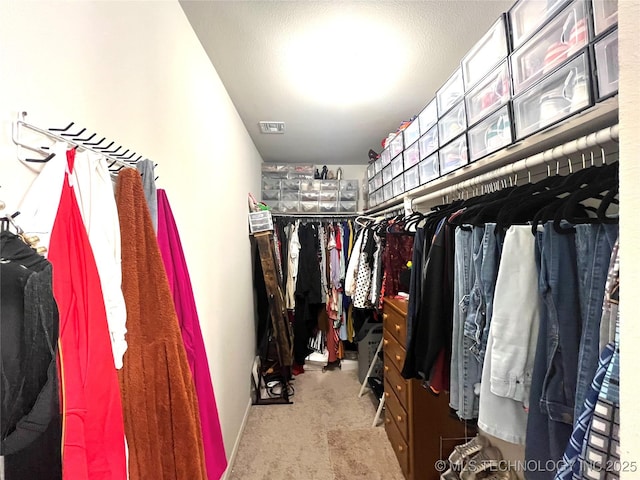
561 152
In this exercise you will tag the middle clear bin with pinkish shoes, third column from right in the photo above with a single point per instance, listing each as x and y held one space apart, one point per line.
493 92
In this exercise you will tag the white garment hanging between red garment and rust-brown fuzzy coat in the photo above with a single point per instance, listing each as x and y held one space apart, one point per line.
94 192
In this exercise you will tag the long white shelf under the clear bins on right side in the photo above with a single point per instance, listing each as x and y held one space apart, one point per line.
600 116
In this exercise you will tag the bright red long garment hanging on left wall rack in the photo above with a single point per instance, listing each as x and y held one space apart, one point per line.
93 429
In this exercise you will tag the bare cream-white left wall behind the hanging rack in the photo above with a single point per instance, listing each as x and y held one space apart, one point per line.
135 72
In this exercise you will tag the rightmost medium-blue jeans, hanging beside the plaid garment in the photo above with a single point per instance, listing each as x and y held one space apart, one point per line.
594 244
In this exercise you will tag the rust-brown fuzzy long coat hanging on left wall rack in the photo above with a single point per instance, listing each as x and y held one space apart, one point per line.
160 406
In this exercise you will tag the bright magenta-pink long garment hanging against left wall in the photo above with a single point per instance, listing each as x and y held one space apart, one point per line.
180 284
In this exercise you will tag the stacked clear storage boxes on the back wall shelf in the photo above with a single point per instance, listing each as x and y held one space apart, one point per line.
292 189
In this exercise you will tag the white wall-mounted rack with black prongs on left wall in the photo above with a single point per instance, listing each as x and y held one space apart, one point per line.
120 160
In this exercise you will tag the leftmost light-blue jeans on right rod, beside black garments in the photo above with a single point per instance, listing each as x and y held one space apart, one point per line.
465 368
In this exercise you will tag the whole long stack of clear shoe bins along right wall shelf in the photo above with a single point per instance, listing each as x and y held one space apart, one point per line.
538 64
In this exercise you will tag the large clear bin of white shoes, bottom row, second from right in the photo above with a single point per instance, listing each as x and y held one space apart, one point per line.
561 94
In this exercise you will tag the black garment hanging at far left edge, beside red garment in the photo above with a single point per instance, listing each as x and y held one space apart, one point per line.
30 420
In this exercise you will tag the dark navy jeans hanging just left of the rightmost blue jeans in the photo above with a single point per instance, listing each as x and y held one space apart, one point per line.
554 379
